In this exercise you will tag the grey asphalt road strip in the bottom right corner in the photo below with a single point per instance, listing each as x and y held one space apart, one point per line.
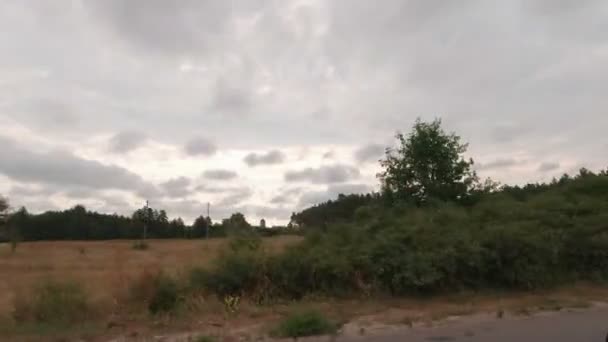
590 325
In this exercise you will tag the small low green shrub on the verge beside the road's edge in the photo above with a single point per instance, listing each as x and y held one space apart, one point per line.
308 323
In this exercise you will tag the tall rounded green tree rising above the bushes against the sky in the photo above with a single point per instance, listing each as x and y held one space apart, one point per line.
428 163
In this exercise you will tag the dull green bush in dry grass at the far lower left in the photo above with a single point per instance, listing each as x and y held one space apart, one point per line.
53 303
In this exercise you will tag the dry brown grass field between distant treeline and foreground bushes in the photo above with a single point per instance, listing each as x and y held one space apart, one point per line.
103 267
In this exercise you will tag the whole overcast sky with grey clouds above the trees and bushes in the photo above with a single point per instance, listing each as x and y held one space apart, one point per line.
269 106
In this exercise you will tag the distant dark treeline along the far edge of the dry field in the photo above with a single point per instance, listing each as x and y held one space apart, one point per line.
78 223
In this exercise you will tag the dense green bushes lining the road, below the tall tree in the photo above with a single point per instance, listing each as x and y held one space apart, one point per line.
540 240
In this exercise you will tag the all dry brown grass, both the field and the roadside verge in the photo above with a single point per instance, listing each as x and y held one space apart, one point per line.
105 268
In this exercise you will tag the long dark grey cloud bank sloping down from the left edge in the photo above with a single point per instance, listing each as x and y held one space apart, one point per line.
63 168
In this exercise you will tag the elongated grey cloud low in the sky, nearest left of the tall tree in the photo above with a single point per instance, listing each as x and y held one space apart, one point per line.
323 175
